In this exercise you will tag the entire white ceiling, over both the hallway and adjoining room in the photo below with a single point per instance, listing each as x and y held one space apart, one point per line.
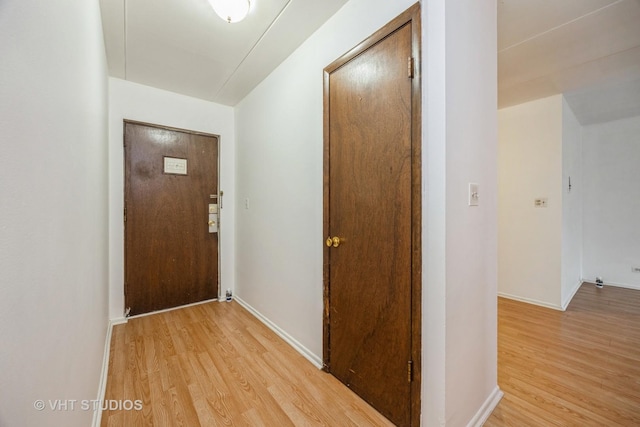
587 49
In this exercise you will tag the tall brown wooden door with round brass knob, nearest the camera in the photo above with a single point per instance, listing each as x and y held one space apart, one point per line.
370 172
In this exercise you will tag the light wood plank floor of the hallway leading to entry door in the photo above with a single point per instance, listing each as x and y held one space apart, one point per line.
215 364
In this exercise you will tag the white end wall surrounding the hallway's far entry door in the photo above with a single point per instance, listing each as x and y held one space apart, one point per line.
146 104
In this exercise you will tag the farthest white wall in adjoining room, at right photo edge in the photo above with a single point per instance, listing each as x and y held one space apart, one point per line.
612 202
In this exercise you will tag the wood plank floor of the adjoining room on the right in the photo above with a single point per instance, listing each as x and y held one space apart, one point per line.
580 367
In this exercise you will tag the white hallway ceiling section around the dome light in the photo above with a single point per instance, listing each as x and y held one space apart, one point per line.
183 46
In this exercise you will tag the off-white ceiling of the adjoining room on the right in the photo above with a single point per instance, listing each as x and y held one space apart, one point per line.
587 49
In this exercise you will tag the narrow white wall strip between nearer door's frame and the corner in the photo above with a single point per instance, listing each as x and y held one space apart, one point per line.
434 212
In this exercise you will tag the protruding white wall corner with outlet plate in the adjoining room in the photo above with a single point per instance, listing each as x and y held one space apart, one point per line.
540 249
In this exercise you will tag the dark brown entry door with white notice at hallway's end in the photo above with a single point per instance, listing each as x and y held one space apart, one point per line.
171 257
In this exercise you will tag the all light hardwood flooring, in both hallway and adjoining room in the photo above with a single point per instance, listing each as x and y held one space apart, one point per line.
215 364
